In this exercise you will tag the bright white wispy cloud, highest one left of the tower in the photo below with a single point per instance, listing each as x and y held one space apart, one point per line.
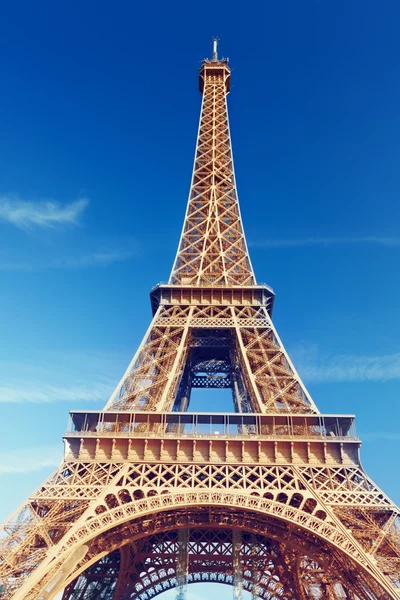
43 213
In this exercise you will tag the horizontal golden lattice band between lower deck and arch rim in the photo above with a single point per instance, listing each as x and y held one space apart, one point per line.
335 486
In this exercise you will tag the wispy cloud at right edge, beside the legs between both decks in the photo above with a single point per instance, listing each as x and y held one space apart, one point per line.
316 368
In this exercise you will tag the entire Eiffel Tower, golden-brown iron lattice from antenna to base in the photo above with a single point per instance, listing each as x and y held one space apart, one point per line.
270 499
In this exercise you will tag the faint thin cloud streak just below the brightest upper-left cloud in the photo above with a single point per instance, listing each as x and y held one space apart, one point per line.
98 258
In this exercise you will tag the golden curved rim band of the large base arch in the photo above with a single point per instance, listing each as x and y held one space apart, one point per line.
107 526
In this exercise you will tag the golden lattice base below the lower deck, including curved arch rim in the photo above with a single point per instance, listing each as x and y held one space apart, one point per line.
82 500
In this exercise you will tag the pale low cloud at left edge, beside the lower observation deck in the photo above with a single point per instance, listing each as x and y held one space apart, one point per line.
30 459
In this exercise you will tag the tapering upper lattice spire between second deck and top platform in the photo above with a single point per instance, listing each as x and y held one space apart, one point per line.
212 249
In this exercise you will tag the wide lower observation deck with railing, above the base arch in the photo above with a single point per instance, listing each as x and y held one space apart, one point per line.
212 437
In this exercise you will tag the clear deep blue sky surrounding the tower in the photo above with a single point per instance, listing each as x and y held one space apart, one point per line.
99 110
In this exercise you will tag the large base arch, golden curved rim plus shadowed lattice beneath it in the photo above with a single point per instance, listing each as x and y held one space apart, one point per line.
270 548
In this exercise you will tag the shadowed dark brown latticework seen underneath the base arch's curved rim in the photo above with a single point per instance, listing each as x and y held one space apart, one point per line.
270 568
